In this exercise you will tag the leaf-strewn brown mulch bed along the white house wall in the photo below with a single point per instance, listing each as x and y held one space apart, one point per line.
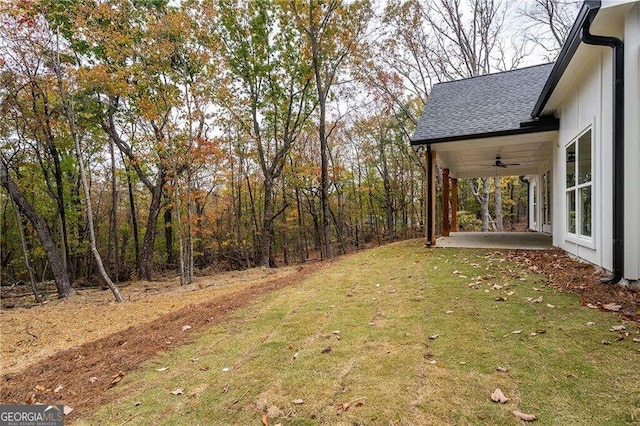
570 276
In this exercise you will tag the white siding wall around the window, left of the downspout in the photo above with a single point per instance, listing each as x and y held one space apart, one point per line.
587 105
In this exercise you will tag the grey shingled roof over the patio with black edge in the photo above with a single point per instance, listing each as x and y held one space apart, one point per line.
484 106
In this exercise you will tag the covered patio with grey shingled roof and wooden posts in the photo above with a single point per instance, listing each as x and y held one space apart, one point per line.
482 127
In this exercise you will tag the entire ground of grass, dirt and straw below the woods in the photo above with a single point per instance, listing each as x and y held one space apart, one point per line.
115 362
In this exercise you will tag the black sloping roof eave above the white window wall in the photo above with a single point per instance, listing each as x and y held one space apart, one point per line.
588 11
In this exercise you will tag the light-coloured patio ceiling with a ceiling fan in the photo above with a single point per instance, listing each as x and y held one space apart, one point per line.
476 157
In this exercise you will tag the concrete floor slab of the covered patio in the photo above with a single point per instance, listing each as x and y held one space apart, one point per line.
500 240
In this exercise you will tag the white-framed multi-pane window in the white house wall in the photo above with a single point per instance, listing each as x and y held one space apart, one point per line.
578 184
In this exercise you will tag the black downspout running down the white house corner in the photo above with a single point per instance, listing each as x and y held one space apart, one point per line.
618 145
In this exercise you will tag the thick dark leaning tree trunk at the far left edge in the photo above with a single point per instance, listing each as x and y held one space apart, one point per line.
61 277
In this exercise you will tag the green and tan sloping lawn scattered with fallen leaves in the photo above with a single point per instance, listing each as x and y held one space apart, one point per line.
403 335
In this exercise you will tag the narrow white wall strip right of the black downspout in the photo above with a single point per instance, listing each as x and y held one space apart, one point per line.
632 143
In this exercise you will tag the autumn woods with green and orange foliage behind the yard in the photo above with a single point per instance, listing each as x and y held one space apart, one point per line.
138 137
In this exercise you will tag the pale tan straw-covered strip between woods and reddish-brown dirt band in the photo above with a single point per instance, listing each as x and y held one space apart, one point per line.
30 334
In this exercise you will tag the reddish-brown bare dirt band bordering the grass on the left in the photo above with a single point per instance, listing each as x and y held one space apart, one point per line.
79 377
